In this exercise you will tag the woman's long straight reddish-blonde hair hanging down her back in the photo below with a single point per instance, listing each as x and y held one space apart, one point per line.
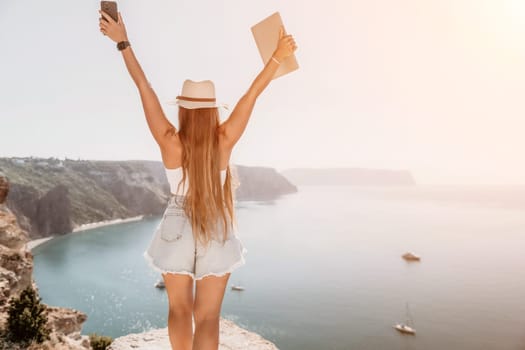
206 202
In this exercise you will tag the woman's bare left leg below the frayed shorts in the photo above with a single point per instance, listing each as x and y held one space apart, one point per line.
180 296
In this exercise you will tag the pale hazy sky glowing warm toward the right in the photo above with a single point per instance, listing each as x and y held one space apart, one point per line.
433 86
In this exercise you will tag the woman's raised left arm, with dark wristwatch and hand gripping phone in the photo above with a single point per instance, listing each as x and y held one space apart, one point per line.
158 124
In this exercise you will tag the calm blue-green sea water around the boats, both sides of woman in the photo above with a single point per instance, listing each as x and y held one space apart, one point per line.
323 270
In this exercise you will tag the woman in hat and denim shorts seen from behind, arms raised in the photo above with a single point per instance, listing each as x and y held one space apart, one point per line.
196 238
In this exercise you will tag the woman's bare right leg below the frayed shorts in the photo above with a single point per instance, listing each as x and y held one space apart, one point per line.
207 310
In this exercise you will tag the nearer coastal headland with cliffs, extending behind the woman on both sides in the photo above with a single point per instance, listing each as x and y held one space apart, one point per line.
53 196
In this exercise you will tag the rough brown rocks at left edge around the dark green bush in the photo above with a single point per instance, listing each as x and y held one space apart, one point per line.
16 269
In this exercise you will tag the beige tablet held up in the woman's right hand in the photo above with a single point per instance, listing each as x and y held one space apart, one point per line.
266 35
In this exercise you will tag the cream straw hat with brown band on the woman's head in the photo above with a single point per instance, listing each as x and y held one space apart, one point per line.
197 94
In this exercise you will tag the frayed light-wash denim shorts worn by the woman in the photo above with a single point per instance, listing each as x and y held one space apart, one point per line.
173 249
